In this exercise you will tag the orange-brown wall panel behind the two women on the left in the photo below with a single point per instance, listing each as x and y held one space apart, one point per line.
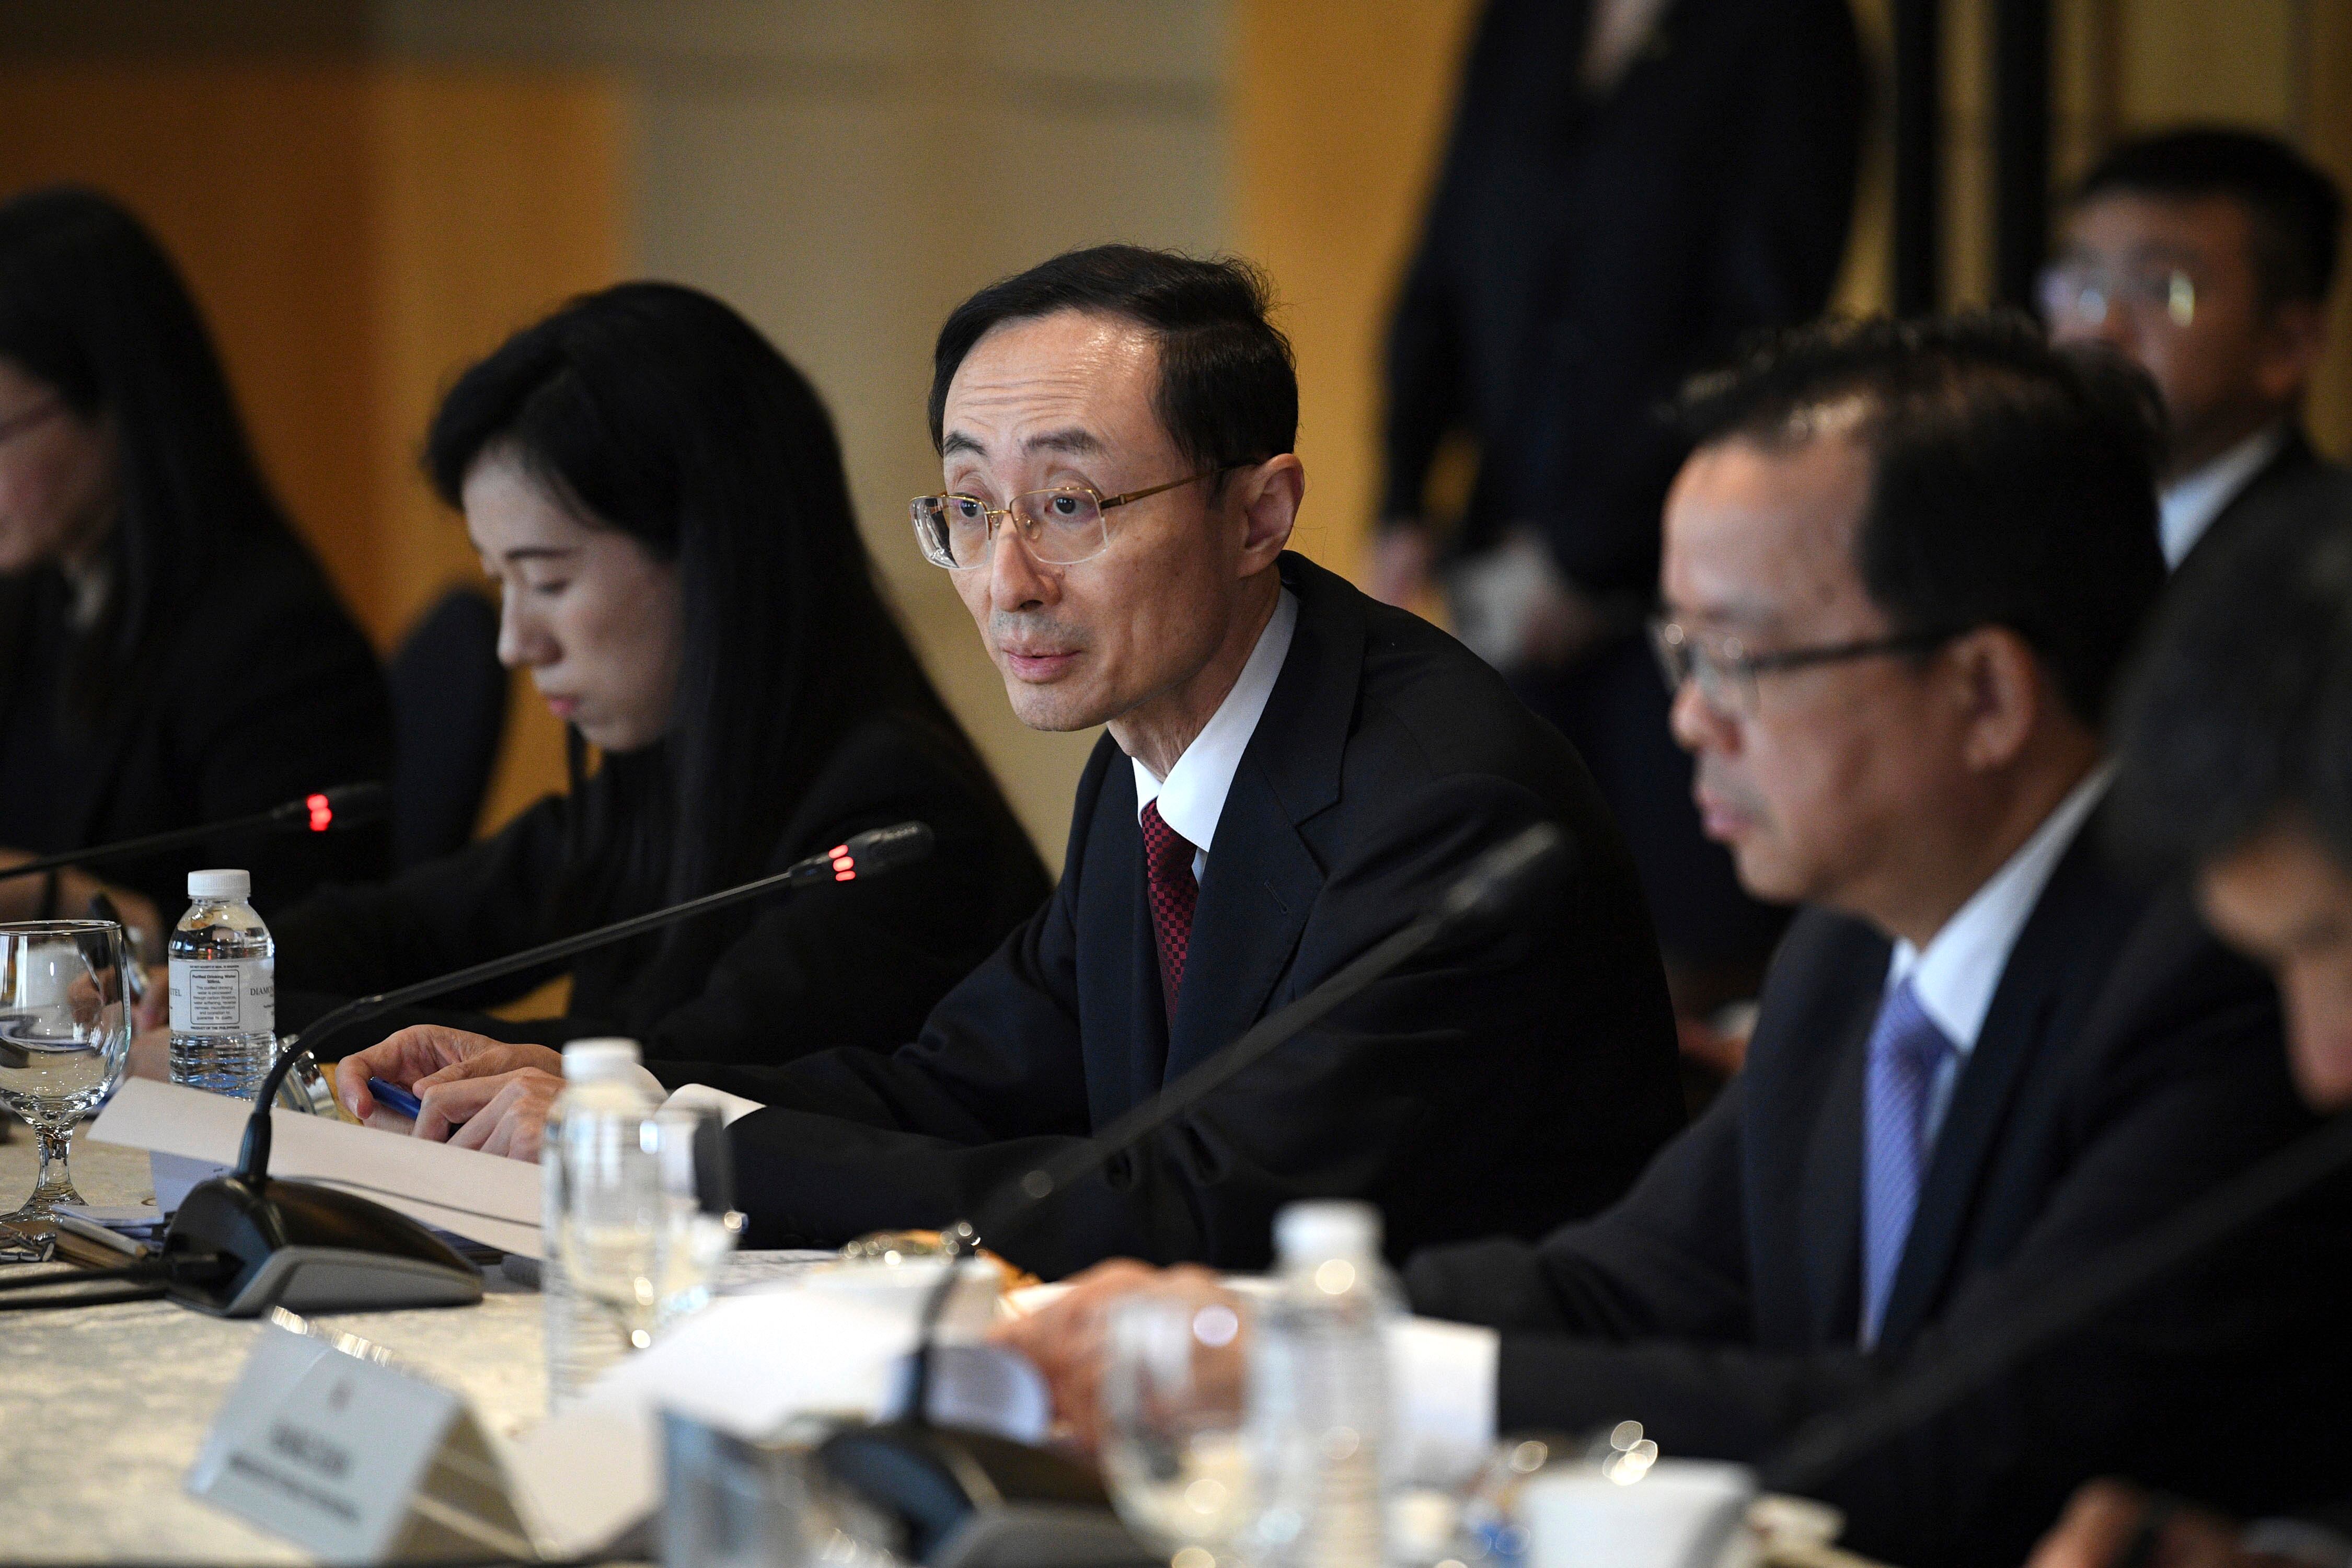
354 234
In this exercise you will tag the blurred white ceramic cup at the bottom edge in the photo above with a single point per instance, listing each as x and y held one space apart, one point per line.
1681 1515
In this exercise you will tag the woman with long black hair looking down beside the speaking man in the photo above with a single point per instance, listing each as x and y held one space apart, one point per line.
662 502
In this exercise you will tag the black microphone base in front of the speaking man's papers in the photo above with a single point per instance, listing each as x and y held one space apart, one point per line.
309 1249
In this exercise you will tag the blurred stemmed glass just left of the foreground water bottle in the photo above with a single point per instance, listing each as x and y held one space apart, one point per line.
1172 1421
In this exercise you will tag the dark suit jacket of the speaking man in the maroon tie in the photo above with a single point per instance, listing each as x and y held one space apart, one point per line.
1492 1085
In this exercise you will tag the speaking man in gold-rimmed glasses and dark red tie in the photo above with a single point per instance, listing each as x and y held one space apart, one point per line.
1292 775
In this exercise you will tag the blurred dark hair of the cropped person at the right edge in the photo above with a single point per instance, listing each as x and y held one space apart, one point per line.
2240 706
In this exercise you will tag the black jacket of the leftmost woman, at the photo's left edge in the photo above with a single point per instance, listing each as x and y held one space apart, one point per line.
258 690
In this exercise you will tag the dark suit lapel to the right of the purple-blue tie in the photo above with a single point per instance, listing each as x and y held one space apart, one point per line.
2052 953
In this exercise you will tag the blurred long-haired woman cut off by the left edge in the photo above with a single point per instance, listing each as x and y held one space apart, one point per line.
171 652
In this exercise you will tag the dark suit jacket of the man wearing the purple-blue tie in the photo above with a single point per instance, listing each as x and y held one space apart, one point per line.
2125 1066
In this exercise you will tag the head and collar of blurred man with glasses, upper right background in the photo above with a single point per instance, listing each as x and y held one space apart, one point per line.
2205 255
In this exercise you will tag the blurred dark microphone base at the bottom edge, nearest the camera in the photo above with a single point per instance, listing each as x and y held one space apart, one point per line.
975 1501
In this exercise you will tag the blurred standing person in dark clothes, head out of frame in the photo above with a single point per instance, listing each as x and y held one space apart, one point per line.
1631 187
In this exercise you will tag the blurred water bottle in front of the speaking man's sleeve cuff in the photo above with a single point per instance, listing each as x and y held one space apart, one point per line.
601 1221
